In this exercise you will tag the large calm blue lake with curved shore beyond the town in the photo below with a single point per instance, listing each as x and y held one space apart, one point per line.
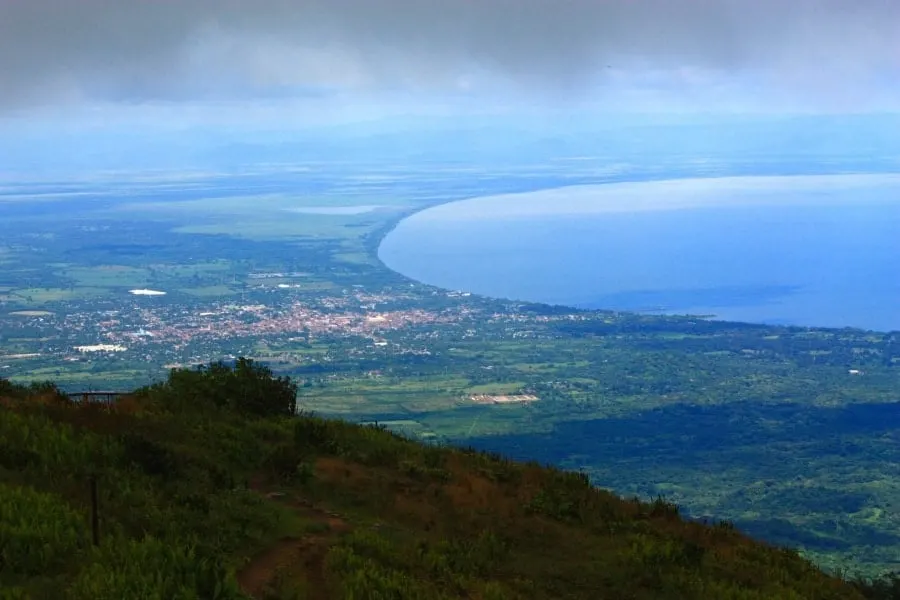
809 250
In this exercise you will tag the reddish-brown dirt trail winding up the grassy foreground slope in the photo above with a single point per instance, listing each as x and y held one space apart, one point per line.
306 553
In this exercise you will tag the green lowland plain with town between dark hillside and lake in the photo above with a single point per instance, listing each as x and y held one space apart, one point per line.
762 425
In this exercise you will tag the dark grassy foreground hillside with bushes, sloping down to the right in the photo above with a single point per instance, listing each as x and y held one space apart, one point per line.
208 487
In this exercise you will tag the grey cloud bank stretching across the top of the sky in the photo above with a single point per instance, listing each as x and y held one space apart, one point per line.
53 51
